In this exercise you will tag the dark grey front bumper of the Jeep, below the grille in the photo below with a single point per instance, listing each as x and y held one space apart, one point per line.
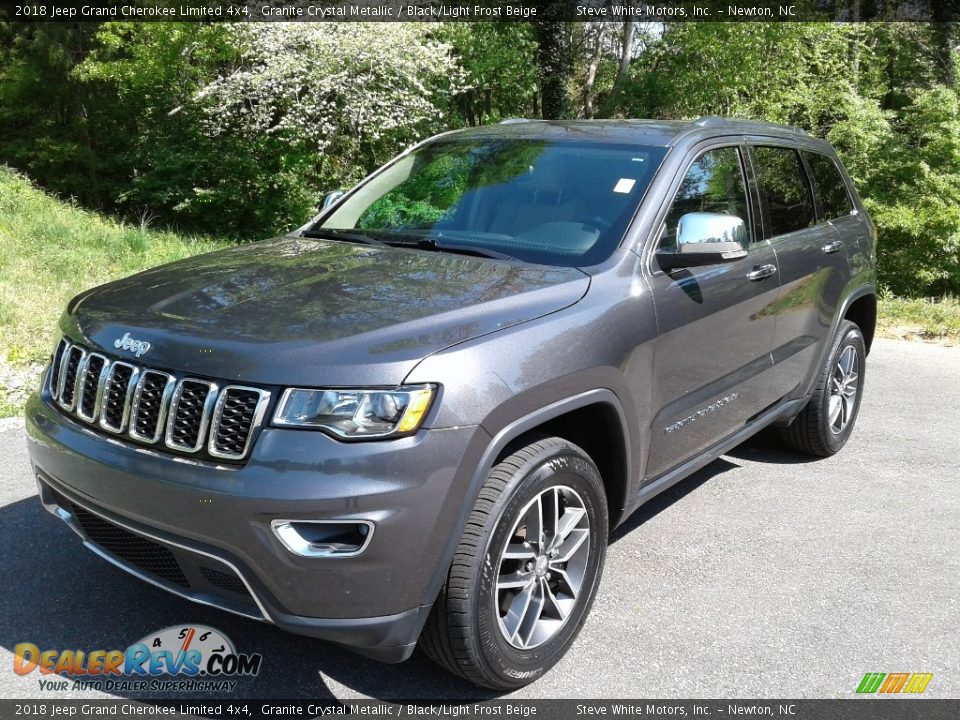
204 532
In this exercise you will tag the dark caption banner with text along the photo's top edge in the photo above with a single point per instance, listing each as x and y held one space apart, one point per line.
479 10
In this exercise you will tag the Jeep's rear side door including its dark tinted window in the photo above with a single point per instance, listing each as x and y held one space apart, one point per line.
812 260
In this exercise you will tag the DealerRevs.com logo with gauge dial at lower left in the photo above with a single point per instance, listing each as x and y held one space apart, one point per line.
197 657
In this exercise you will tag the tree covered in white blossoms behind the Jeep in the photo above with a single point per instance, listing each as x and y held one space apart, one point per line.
349 91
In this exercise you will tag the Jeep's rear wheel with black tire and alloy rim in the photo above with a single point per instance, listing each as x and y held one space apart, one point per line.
825 424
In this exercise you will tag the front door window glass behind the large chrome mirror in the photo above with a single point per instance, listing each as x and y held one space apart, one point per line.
713 184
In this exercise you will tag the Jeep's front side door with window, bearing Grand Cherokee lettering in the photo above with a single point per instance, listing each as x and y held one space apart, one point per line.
713 348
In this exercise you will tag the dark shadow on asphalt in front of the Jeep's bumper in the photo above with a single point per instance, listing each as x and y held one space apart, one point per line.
59 595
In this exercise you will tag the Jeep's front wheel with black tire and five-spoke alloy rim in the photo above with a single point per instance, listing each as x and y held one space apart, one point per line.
526 569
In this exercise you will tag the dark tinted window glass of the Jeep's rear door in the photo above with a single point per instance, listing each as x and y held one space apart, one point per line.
784 187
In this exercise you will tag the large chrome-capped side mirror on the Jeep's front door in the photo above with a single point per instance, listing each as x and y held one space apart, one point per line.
705 239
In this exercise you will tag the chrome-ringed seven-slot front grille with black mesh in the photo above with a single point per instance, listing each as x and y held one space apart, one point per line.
185 415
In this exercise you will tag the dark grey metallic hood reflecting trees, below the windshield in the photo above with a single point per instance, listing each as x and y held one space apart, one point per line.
297 311
